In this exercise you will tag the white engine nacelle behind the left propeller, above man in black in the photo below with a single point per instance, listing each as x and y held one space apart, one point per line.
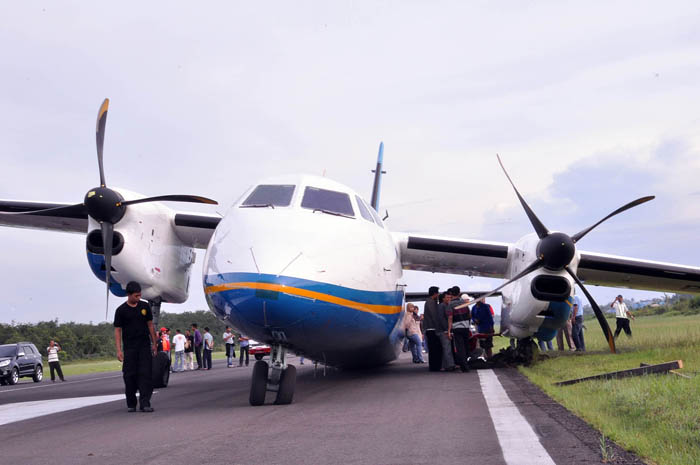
146 249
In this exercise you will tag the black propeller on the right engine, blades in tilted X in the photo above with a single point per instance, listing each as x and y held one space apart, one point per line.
556 250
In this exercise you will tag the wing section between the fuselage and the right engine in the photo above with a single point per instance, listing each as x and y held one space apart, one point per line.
453 256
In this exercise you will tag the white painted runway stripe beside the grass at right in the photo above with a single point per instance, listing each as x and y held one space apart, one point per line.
519 443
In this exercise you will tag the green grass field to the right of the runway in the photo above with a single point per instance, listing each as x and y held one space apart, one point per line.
656 416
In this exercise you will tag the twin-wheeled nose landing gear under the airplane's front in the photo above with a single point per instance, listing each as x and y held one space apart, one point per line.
278 377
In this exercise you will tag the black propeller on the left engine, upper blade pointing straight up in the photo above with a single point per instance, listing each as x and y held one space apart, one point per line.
107 206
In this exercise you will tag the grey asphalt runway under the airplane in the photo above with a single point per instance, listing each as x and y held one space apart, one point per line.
398 414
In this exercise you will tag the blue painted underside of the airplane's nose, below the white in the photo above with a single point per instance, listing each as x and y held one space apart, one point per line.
321 330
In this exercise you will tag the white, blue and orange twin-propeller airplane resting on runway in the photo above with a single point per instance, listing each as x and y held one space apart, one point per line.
306 265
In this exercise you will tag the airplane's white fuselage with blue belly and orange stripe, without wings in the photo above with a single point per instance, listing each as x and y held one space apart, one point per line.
322 284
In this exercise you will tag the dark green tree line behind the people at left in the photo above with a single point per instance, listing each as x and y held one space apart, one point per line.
94 341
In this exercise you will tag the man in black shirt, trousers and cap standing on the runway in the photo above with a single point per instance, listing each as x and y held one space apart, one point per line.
133 326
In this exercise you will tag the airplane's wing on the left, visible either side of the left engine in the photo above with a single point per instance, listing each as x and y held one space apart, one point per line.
194 229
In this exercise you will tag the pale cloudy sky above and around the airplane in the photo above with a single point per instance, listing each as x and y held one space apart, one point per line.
589 106
